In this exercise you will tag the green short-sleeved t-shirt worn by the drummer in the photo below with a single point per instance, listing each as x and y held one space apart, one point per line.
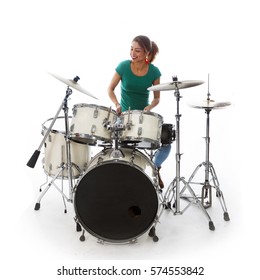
134 93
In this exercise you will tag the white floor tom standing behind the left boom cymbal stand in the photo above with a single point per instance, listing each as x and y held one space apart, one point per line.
55 151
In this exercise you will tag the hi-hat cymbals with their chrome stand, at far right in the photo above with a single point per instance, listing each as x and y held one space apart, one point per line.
210 174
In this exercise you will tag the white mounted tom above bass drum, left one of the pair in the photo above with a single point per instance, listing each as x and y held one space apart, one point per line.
91 123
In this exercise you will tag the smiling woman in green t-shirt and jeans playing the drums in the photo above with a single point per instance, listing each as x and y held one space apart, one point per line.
136 75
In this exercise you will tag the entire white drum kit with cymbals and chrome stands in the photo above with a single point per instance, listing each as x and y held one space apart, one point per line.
115 193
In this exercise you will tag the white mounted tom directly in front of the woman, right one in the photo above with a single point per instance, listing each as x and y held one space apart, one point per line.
141 126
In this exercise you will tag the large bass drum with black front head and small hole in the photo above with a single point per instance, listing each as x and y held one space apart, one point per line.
116 199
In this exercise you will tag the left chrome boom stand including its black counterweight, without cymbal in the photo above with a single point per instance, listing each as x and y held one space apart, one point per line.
31 163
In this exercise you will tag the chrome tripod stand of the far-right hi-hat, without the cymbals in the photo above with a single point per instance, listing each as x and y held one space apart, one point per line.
206 194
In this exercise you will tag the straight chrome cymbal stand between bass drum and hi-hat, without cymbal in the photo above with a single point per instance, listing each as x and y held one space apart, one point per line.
173 191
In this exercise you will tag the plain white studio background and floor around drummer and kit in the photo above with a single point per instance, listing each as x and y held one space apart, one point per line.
89 39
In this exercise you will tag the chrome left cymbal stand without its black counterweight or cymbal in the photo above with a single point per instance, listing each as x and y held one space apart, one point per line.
67 165
